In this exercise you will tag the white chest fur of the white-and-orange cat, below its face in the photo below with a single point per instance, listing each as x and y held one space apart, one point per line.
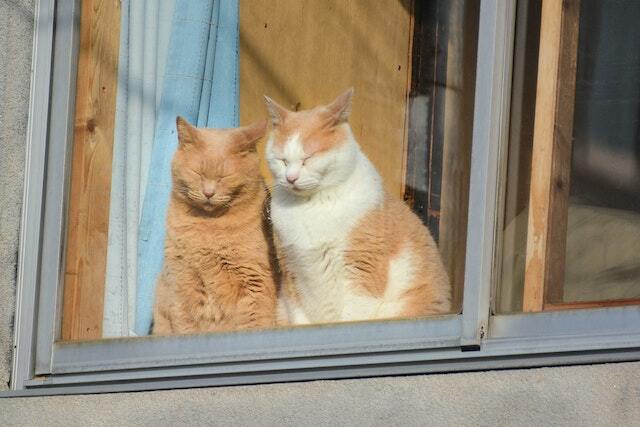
314 234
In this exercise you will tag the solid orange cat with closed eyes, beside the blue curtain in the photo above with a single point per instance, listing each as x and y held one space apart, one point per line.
217 273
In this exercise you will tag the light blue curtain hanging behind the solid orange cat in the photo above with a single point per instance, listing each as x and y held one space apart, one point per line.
201 84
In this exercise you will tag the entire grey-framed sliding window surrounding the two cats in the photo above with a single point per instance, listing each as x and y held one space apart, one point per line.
444 81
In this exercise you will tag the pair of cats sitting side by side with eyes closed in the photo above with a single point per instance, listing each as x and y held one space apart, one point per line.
329 244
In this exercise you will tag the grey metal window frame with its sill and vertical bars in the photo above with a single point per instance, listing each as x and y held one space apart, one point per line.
471 340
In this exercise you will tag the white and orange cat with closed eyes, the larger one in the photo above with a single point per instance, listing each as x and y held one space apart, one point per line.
348 250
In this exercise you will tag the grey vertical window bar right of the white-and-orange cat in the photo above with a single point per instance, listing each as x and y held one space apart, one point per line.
490 130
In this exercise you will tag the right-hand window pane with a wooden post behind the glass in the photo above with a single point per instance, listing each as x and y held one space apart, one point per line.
572 227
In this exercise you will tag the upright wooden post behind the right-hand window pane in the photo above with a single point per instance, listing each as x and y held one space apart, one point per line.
551 159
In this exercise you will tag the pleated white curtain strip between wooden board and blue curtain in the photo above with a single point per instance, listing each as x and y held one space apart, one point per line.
143 46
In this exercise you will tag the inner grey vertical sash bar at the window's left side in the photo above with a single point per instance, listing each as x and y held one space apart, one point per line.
60 136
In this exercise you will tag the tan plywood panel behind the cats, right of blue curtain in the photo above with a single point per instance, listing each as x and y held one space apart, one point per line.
304 53
